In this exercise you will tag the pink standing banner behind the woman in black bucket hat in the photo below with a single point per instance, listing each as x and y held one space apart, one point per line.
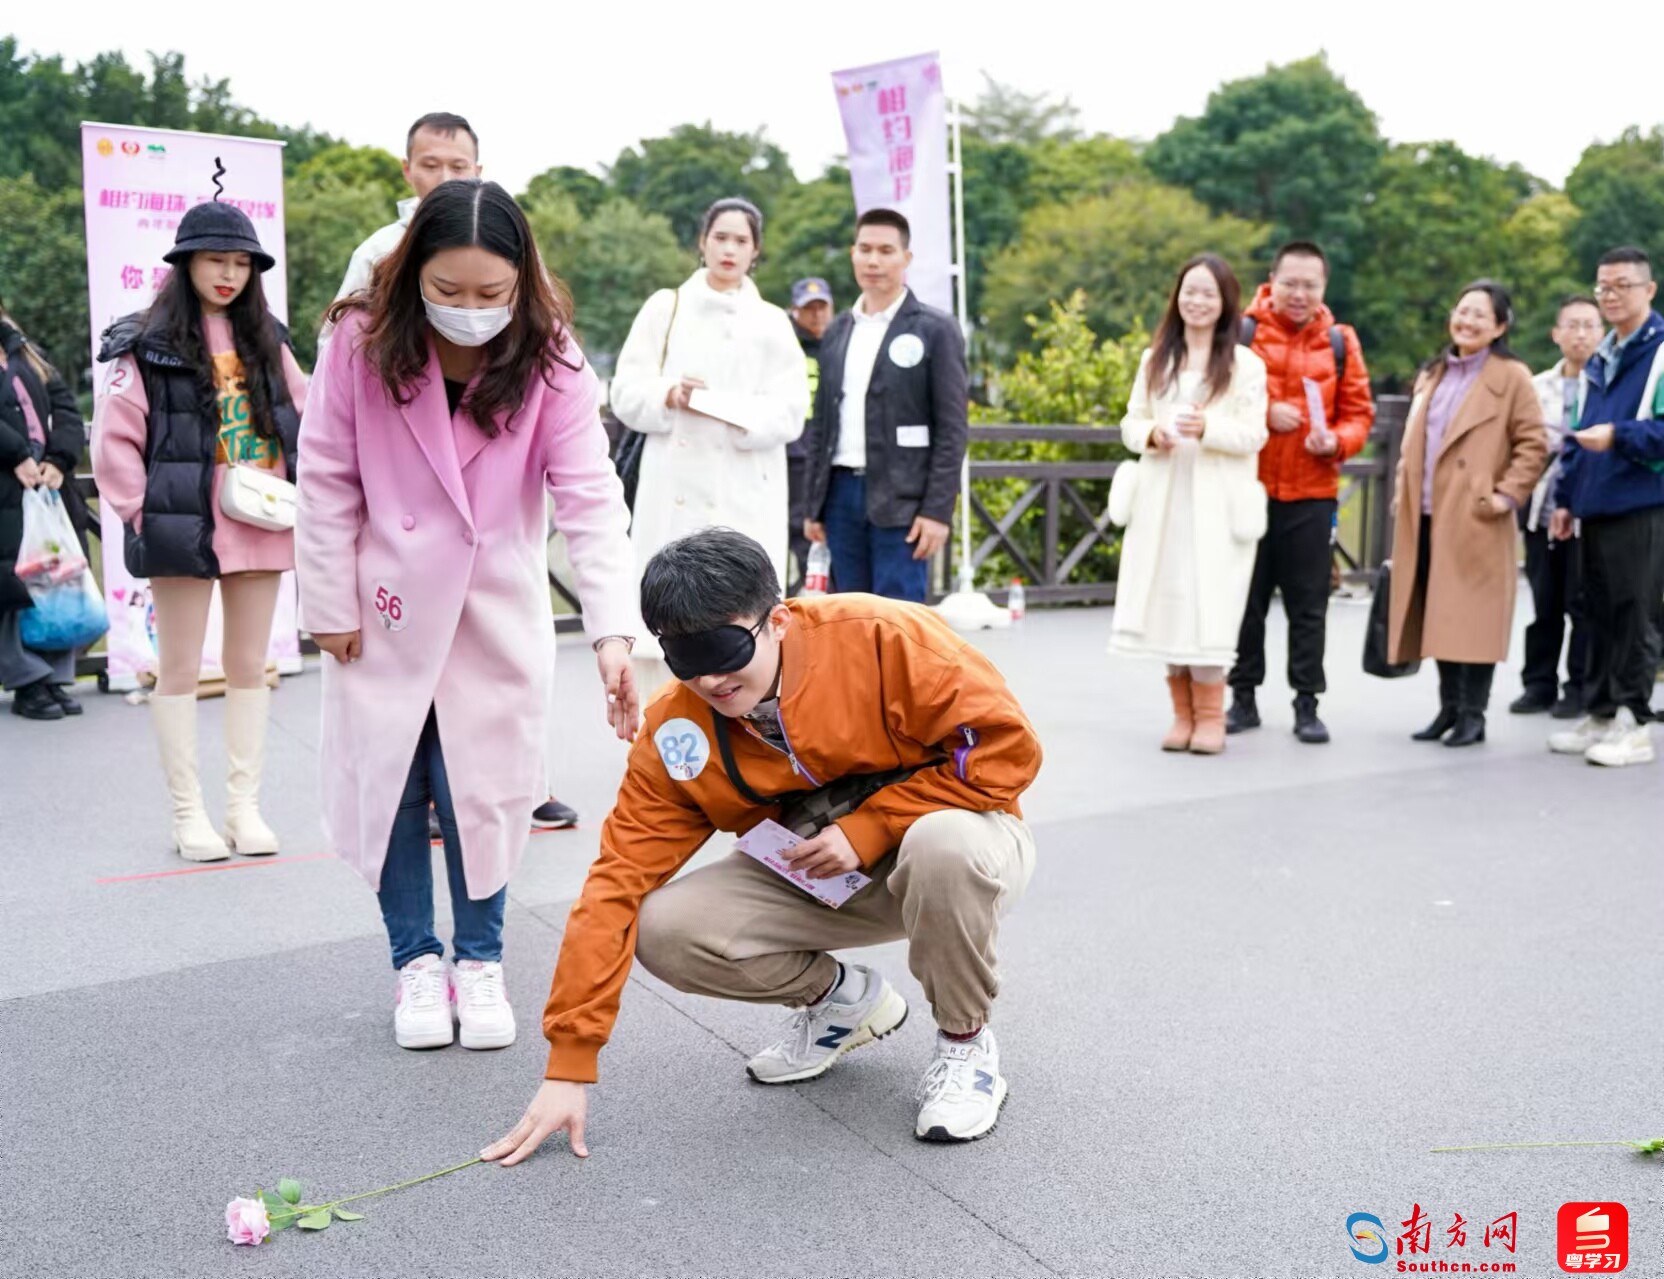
139 182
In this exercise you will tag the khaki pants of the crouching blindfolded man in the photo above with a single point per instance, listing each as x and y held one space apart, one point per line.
736 931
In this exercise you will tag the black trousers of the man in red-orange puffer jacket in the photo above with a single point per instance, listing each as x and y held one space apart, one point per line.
1294 558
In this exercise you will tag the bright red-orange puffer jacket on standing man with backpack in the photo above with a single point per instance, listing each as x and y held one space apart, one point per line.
1292 355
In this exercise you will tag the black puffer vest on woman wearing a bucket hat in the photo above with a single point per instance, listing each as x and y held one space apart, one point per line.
176 536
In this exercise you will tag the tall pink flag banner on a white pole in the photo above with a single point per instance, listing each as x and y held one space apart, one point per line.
896 124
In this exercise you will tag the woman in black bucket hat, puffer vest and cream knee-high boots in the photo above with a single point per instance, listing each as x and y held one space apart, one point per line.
199 388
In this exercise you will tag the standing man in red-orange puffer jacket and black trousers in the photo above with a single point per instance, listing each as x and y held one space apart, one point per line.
1309 360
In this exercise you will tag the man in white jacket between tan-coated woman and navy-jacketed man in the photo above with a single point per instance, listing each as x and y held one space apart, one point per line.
1552 566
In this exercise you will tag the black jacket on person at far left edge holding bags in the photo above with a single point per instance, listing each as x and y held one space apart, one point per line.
59 442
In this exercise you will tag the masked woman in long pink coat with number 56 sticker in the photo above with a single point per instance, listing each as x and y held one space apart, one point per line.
450 398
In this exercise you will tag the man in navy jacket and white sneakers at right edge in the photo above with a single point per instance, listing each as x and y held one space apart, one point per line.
1613 485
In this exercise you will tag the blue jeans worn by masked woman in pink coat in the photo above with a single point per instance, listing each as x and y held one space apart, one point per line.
407 877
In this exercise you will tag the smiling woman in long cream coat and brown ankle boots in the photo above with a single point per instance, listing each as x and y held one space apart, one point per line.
1194 506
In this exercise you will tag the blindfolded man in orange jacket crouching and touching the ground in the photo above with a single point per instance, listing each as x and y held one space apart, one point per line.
896 756
